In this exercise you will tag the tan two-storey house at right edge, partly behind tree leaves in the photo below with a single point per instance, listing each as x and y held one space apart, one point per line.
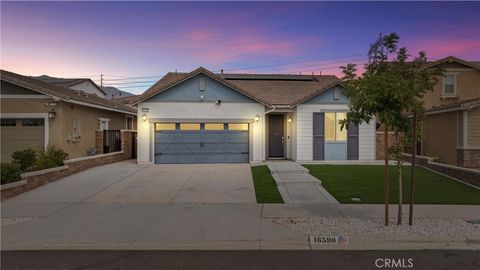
451 131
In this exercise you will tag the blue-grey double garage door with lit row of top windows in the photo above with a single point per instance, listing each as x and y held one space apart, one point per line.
201 143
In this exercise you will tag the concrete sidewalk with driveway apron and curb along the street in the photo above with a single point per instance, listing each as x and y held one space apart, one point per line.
200 226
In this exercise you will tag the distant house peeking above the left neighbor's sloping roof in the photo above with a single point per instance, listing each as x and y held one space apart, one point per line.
81 84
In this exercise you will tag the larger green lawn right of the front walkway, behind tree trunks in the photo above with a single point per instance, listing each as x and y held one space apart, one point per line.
366 182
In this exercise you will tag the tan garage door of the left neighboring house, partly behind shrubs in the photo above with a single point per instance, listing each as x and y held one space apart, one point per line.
19 134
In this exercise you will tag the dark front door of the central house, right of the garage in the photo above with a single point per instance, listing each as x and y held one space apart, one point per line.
276 137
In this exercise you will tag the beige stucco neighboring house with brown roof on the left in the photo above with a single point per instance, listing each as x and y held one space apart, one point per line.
36 114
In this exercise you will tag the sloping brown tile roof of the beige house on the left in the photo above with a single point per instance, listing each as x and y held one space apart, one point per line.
63 93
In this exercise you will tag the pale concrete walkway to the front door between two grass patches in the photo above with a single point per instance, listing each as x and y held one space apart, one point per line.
296 185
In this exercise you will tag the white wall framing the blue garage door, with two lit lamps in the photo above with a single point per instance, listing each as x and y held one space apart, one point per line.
199 110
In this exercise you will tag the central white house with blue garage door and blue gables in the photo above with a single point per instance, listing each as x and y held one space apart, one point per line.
203 117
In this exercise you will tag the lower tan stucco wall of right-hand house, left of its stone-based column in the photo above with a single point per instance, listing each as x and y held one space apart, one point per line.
439 137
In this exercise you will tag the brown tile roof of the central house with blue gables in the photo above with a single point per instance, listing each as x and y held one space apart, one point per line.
268 89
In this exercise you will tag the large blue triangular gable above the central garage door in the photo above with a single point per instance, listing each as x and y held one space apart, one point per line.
189 90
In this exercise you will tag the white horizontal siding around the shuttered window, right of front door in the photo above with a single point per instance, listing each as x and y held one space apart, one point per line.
304 132
